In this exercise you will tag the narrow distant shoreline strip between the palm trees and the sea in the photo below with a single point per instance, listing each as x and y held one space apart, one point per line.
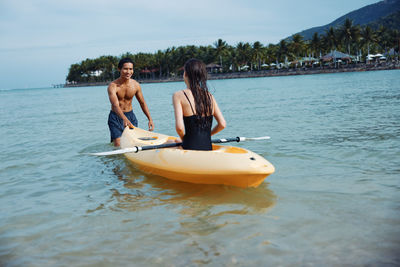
262 73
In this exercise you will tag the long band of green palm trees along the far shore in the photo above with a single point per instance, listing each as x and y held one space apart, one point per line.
348 38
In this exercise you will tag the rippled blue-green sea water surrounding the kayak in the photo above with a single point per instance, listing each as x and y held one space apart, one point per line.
333 200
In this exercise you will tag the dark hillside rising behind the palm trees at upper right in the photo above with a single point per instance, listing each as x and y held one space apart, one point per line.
385 13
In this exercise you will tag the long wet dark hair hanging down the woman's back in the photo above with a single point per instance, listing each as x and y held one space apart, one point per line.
197 77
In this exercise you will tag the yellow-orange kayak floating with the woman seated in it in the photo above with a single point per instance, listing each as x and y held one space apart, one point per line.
227 165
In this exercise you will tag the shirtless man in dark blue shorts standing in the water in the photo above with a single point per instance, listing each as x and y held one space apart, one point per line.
121 92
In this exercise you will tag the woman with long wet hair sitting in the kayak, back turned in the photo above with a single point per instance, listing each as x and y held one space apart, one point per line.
195 108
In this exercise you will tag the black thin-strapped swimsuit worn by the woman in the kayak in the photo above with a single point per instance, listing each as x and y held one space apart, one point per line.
196 137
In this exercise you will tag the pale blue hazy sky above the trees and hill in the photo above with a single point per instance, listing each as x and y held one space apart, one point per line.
40 39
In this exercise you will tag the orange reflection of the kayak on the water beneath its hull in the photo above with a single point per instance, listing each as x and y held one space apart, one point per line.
196 196
